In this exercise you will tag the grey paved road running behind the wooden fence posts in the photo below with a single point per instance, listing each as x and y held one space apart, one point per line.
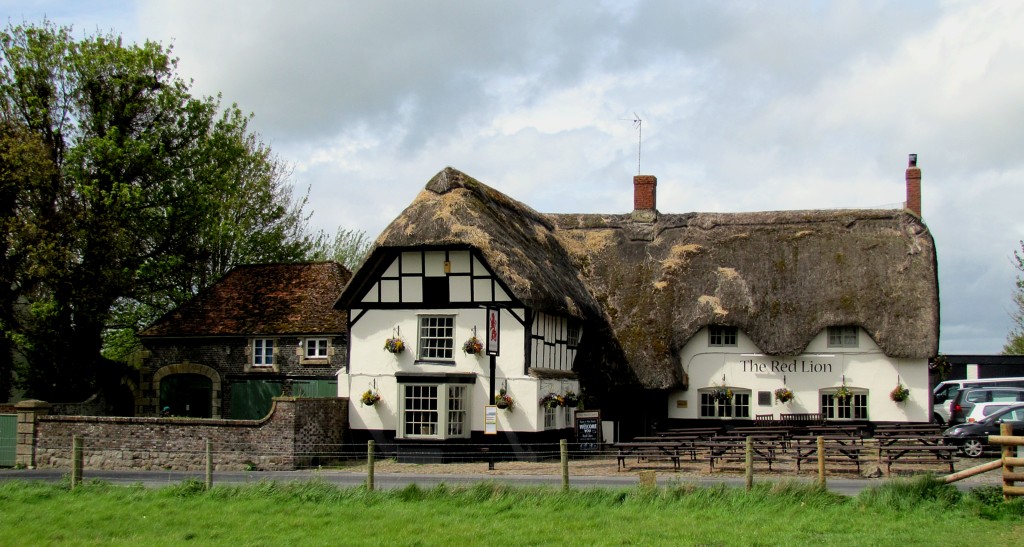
848 487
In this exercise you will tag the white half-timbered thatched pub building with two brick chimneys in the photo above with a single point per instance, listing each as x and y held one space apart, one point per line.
654 319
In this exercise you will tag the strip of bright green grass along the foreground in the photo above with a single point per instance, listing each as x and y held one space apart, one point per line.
918 513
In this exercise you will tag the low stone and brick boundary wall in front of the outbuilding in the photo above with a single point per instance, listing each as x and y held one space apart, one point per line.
297 434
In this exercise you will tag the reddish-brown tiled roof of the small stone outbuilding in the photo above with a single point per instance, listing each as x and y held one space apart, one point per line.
263 300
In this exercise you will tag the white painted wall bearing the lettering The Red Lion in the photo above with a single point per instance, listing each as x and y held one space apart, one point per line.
819 367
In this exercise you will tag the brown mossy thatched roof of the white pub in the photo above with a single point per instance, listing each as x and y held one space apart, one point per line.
780 277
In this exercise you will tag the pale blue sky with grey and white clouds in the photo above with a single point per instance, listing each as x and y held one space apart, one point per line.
744 107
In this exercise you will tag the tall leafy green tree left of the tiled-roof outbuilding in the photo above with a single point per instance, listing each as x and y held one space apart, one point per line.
127 219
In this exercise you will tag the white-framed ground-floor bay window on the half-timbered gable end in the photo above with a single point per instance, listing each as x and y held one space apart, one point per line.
435 411
